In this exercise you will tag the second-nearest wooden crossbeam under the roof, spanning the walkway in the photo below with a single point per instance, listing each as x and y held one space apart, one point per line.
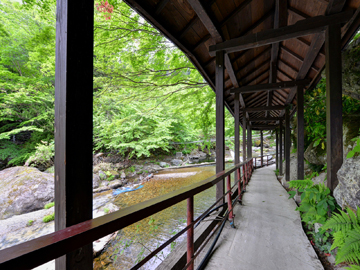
270 86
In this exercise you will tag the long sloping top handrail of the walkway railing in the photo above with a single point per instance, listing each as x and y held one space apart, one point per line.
48 247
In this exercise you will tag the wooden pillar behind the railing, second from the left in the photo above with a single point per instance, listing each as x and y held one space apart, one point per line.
220 128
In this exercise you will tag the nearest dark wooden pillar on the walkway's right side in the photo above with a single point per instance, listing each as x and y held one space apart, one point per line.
334 132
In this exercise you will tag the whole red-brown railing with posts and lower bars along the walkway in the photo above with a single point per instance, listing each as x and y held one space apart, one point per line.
43 249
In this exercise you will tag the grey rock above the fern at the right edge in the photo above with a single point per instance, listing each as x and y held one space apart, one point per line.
347 192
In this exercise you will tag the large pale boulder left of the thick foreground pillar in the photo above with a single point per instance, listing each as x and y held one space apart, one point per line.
23 190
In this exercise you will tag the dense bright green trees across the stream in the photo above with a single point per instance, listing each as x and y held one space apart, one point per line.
146 92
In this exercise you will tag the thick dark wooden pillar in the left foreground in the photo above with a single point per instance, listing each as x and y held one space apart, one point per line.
73 123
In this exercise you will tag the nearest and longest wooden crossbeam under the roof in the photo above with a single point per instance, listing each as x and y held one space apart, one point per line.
301 28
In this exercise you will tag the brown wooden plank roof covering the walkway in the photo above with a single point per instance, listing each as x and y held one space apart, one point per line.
195 25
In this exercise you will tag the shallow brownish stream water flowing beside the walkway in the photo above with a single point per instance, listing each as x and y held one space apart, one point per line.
135 242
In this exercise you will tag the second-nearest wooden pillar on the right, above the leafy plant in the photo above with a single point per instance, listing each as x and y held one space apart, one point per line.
300 132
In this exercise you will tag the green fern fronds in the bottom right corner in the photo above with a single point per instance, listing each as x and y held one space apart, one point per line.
346 226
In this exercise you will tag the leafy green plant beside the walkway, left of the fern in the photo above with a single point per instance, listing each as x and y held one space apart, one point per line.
315 201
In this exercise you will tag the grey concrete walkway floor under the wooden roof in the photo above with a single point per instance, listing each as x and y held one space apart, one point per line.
268 233
